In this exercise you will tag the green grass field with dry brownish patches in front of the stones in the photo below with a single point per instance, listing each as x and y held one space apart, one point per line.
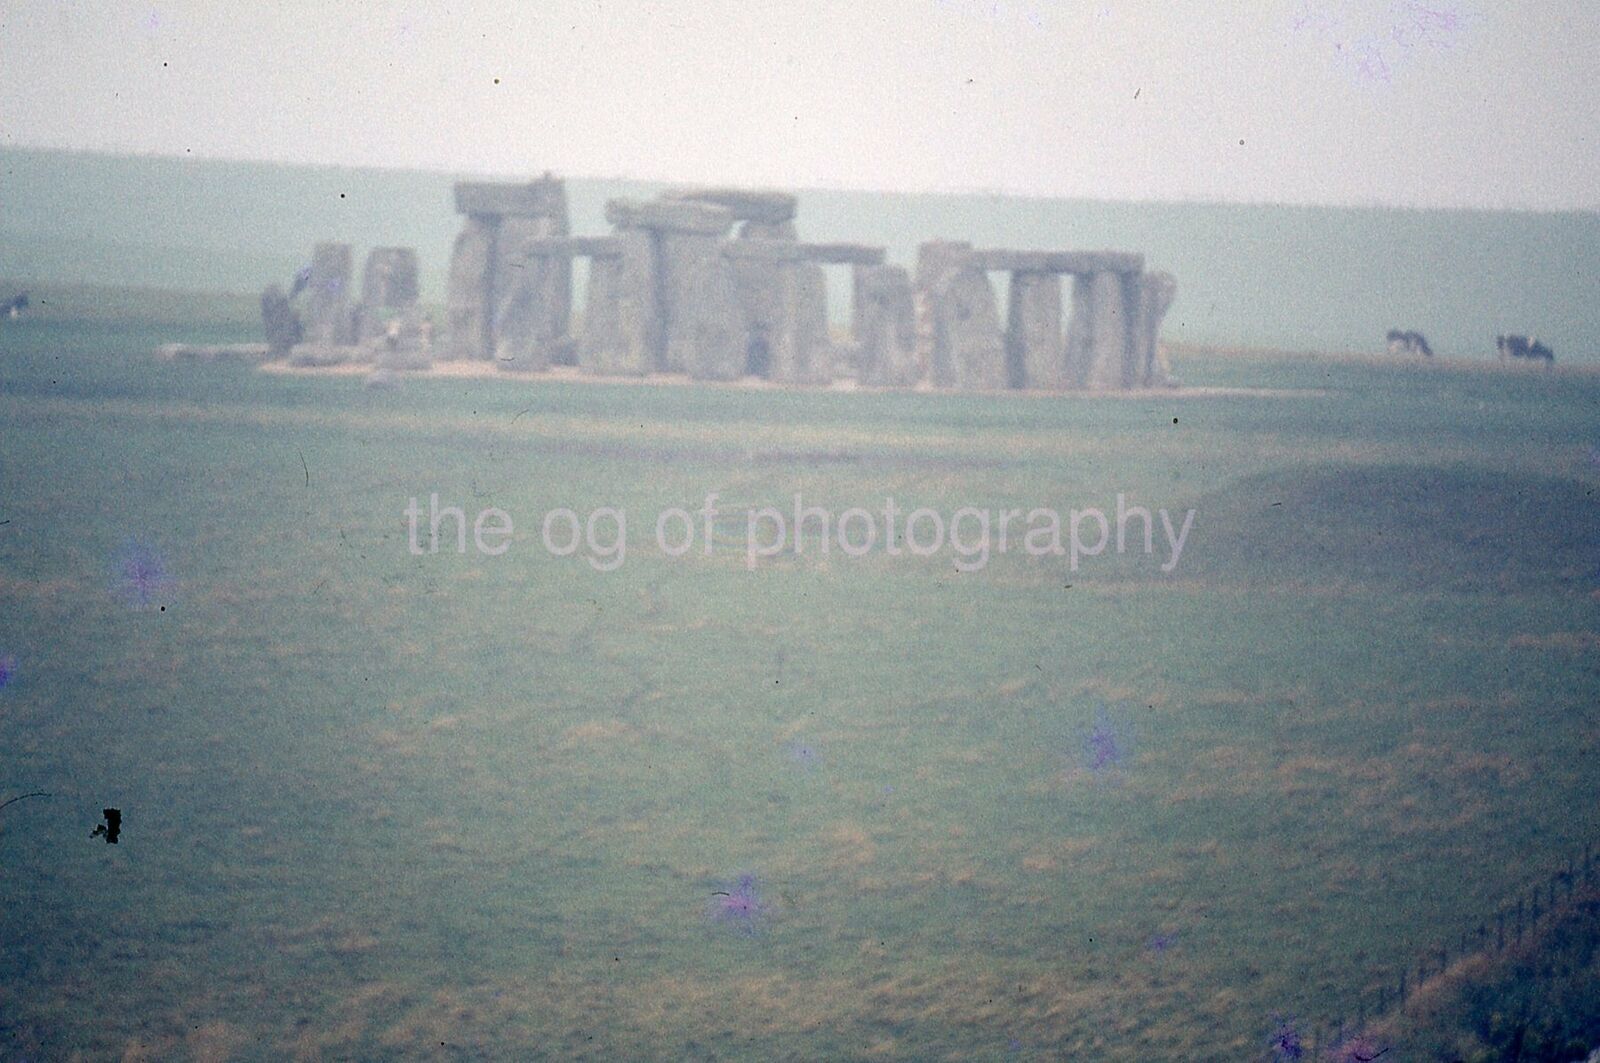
383 806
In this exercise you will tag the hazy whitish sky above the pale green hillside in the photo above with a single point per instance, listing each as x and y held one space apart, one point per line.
1322 102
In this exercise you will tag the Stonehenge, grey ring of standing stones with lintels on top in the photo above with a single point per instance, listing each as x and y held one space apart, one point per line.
716 284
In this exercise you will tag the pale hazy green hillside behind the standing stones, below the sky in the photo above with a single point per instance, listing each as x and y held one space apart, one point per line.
1268 276
